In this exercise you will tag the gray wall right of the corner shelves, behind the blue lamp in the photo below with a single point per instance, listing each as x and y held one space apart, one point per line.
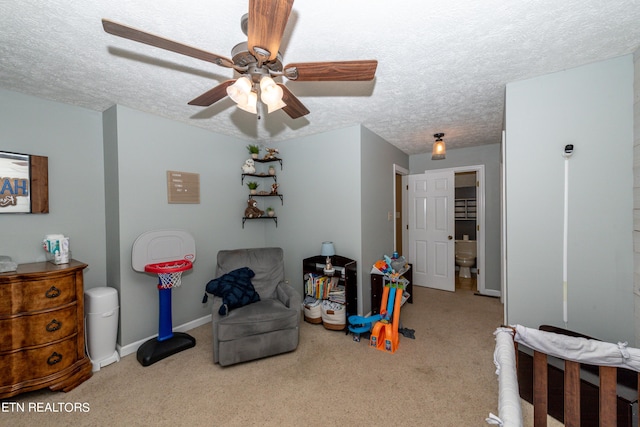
320 182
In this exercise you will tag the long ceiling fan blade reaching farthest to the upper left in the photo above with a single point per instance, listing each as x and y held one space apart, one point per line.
130 33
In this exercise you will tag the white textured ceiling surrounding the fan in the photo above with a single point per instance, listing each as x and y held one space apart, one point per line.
443 64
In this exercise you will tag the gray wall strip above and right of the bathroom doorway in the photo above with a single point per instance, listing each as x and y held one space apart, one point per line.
489 156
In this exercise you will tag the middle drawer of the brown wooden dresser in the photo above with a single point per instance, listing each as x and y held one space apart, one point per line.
35 329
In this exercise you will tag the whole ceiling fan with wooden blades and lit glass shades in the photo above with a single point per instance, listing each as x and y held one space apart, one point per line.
257 61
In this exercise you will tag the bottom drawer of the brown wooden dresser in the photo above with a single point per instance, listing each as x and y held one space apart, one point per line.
25 365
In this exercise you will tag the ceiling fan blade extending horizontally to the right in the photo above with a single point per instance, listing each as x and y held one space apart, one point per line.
332 71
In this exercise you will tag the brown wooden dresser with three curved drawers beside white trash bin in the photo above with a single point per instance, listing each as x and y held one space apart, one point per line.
42 328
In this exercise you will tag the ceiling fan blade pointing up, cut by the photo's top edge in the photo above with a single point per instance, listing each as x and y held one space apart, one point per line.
267 21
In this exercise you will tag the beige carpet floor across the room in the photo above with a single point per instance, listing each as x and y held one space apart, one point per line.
445 376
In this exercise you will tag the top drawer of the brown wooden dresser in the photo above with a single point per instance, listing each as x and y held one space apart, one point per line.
36 295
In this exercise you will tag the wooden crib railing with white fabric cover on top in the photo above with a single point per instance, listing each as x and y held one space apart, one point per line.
573 351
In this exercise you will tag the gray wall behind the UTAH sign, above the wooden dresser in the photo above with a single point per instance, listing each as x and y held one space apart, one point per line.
71 138
